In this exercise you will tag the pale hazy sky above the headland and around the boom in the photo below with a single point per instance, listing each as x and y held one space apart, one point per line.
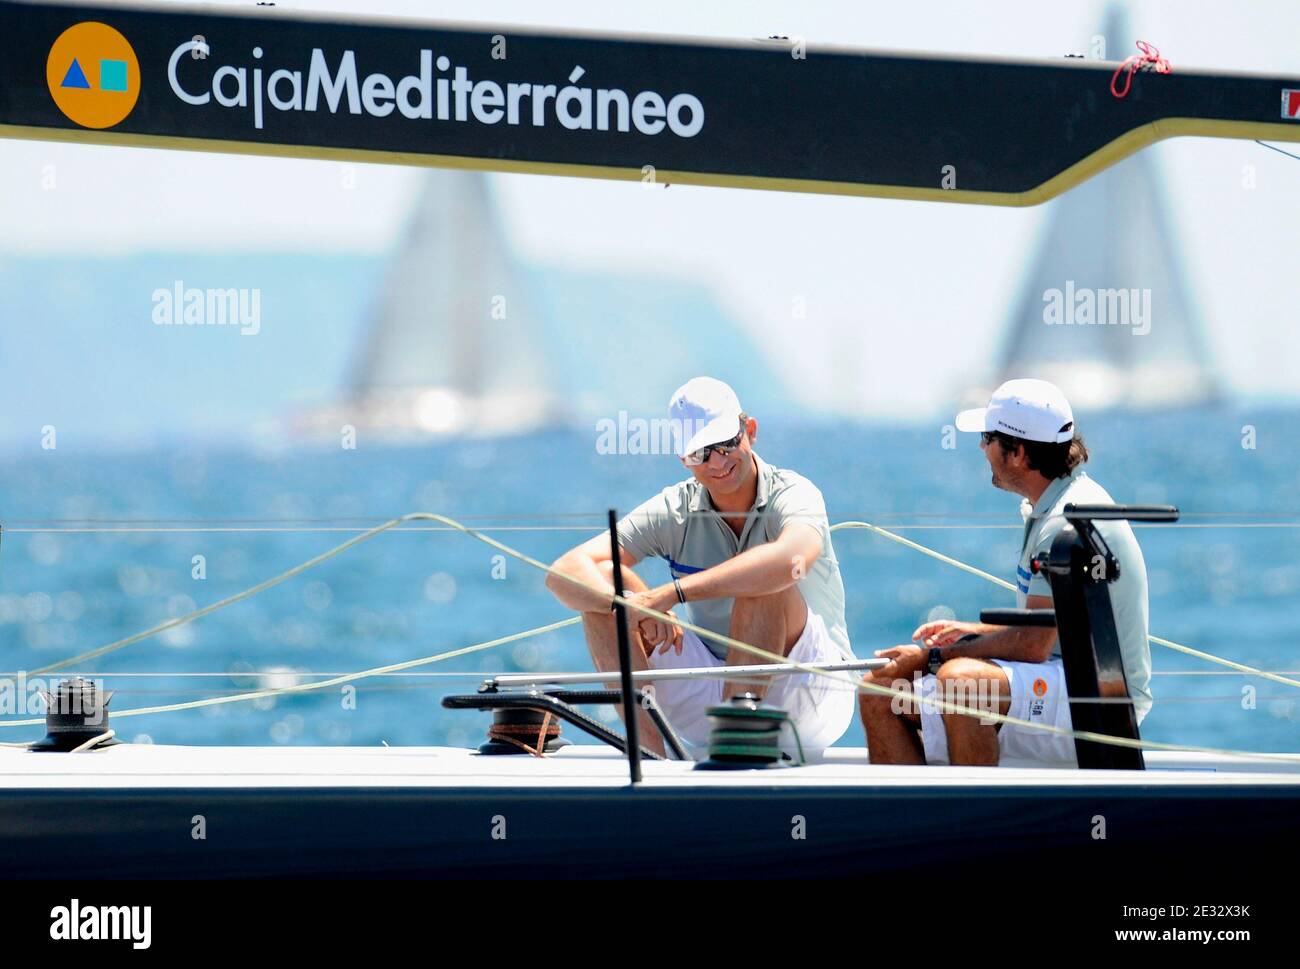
905 300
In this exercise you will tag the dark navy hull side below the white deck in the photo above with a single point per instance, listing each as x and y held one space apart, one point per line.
579 833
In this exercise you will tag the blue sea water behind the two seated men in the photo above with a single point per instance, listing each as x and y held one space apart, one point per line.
1225 581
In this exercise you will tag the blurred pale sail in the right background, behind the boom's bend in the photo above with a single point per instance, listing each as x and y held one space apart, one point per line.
1107 312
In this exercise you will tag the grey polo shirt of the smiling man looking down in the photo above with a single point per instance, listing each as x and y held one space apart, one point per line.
682 526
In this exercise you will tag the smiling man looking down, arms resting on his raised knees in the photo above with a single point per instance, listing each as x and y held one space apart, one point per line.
749 556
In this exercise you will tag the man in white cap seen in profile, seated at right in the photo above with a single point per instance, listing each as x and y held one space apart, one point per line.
1032 444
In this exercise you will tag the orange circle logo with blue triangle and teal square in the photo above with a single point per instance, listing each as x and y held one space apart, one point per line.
93 75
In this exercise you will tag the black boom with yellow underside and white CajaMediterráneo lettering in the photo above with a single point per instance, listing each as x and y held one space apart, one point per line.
764 114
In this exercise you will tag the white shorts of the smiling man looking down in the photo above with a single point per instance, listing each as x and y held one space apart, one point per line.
820 707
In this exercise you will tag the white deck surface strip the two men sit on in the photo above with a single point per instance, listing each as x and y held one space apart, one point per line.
157 767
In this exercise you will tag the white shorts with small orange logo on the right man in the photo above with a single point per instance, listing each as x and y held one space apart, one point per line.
1038 697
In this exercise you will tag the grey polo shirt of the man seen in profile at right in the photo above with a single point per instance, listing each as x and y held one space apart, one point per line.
1128 594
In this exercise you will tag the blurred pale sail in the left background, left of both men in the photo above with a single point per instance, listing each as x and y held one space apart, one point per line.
457 345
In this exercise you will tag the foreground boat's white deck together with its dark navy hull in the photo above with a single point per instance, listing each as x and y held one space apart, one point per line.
255 812
